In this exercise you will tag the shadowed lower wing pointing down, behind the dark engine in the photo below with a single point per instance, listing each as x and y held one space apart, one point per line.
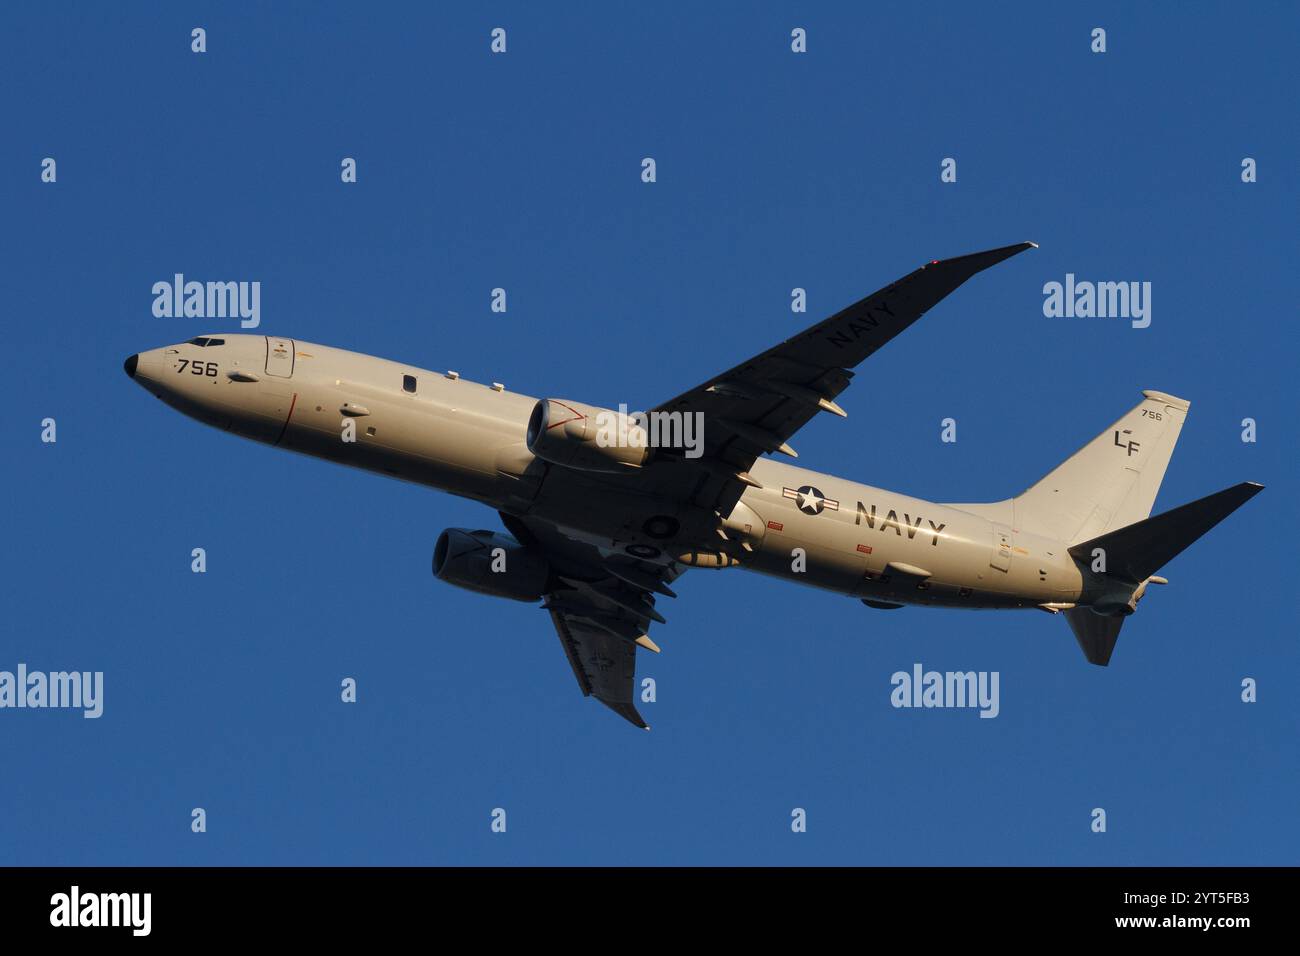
601 607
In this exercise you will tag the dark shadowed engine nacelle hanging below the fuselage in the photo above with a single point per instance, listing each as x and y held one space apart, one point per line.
471 560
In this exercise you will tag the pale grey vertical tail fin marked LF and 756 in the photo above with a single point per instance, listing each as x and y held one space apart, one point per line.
1112 481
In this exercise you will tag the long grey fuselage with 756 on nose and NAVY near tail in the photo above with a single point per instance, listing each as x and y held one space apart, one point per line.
467 439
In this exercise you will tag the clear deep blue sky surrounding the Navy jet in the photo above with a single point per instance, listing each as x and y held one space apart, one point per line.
523 171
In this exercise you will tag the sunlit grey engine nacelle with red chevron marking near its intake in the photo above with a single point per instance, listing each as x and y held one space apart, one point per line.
586 438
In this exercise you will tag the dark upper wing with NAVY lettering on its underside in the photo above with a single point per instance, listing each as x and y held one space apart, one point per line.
757 406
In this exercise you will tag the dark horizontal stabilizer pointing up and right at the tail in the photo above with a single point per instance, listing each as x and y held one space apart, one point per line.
1139 551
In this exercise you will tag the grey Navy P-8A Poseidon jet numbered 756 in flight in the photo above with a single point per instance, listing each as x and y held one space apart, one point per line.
603 518
